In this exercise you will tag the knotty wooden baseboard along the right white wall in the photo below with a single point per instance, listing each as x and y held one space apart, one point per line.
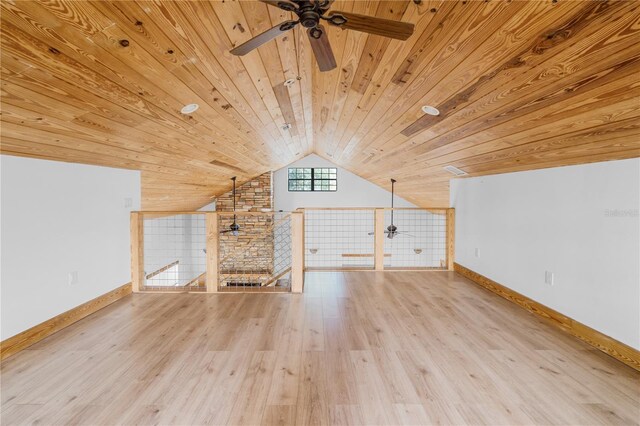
606 344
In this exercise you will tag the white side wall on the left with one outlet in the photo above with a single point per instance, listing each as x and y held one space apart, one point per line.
58 218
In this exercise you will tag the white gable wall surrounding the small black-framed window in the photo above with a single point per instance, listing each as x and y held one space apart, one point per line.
353 191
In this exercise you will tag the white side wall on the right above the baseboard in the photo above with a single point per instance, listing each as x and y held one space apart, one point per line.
579 222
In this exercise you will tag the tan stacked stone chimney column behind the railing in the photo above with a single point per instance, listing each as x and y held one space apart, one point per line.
252 250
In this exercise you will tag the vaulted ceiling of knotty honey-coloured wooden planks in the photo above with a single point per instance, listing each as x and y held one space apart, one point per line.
520 85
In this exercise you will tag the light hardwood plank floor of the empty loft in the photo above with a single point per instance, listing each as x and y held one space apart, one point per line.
356 348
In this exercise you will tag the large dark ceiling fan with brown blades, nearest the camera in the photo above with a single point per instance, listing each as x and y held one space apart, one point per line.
310 13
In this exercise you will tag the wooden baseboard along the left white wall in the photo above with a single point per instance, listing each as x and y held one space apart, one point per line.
23 340
